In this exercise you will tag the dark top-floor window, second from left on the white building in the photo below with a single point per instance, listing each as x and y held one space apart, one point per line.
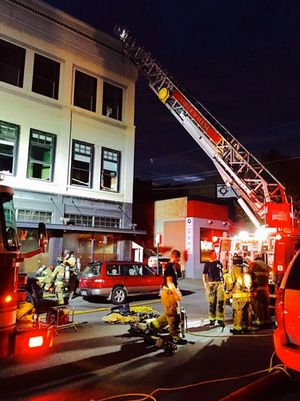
39 74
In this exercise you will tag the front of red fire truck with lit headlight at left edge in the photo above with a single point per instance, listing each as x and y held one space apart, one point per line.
17 337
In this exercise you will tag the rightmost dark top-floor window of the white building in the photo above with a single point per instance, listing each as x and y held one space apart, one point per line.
112 101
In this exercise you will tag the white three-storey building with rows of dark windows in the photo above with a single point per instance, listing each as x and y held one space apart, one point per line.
67 129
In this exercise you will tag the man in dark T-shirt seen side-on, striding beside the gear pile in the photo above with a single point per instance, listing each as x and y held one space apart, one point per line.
170 297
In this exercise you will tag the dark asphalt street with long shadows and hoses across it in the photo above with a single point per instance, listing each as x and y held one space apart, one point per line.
96 361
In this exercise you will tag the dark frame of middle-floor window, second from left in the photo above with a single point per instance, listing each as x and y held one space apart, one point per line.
38 162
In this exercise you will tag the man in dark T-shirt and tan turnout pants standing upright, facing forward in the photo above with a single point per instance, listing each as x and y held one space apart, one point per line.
213 283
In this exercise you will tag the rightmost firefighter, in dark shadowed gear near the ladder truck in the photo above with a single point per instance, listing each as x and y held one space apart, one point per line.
260 292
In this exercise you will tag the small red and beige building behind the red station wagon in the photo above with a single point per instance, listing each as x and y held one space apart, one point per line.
192 226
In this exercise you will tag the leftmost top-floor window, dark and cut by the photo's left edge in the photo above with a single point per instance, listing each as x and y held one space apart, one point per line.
12 61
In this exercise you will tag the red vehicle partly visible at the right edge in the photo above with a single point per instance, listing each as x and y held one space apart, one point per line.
287 311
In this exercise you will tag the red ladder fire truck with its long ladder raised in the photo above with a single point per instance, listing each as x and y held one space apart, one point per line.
262 197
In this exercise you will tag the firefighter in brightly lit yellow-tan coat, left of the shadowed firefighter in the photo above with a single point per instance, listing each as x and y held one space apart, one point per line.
240 280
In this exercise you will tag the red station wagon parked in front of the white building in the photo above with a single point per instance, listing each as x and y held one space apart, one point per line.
117 280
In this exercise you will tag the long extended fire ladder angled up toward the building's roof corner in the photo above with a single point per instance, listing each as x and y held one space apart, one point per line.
254 185
